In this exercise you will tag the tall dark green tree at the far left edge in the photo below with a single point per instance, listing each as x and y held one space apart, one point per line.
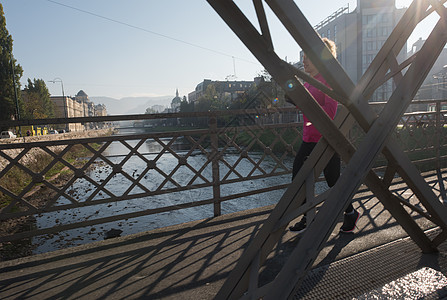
8 67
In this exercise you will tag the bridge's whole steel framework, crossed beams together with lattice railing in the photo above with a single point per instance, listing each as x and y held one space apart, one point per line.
377 145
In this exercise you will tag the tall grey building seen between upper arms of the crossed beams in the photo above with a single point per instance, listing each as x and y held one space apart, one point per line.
360 34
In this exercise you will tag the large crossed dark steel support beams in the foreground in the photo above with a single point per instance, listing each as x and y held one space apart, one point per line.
243 282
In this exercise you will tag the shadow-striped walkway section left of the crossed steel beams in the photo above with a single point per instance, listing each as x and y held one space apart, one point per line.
154 264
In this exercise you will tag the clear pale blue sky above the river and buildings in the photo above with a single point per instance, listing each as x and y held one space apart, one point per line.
118 48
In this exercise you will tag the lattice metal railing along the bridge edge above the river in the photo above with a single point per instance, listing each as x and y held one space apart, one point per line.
224 146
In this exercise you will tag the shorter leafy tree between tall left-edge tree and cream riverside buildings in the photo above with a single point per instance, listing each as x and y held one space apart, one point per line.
37 100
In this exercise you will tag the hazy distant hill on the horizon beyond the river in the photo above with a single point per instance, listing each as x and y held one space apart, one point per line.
131 105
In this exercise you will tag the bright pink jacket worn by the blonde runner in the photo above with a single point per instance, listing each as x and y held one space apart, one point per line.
310 133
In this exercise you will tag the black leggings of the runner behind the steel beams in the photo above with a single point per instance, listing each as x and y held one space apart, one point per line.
331 171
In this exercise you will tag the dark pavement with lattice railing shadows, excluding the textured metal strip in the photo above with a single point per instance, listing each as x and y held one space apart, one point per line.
188 261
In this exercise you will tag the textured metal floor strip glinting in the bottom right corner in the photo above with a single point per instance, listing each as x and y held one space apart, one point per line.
396 270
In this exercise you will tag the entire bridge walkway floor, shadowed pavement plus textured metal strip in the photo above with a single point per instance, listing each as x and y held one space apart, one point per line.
191 261
